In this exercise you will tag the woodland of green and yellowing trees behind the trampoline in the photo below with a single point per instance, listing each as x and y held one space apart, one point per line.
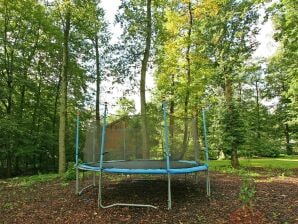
200 54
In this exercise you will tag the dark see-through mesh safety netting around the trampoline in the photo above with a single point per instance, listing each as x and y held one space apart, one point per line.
127 138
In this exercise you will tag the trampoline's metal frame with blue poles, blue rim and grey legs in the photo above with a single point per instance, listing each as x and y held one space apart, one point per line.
100 167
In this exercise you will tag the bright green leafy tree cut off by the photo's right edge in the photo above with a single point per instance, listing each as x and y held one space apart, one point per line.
282 78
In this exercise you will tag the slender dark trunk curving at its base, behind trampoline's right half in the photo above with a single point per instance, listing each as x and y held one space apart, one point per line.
188 77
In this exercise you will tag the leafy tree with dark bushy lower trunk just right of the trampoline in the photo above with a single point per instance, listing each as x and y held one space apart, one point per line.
231 31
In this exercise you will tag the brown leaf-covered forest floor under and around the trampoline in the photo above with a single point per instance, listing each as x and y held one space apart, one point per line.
54 201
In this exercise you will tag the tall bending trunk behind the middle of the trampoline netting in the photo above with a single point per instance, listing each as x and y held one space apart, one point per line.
145 153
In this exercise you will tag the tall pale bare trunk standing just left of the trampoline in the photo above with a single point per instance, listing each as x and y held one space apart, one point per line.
63 94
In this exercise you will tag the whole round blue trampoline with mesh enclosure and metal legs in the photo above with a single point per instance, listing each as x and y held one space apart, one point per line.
171 148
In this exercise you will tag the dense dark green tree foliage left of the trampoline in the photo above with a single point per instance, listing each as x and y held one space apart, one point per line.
30 82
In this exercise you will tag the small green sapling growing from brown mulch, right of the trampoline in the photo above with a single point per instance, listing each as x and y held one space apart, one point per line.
247 191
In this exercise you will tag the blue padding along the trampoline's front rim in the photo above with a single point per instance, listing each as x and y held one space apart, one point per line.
192 169
